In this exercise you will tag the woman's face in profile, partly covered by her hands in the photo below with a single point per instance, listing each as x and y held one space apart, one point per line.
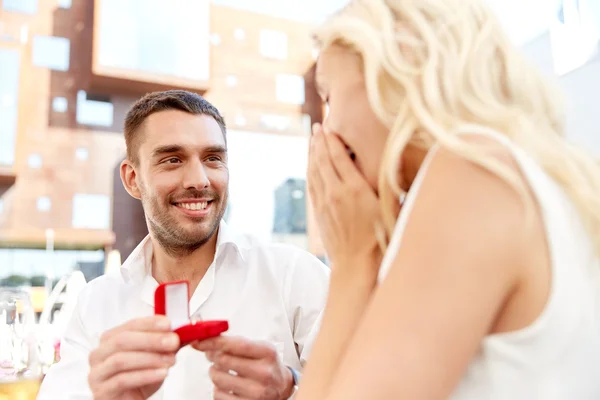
341 84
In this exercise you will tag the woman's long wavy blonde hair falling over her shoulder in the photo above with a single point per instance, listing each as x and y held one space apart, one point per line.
436 68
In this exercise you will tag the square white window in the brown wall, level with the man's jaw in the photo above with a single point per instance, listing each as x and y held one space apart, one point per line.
91 211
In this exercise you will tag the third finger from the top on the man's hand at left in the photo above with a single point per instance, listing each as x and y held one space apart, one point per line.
129 361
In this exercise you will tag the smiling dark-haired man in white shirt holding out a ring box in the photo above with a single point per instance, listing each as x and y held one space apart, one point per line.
272 295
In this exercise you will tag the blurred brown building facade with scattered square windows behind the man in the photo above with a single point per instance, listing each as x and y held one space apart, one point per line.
70 69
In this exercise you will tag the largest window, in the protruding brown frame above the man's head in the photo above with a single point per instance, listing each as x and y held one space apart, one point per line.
146 35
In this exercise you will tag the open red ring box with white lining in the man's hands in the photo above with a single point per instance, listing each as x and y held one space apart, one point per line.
172 300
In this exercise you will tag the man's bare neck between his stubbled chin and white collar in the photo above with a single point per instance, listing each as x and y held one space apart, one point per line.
189 267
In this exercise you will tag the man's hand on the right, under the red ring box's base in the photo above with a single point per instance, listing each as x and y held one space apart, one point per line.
244 369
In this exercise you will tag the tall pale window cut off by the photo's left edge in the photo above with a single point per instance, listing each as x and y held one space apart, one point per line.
10 61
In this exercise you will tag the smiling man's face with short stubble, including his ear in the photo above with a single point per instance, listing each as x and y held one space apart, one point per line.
182 178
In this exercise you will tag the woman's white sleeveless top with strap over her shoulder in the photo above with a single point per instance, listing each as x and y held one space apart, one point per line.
557 357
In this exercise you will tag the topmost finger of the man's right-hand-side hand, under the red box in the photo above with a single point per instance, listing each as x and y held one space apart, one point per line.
237 346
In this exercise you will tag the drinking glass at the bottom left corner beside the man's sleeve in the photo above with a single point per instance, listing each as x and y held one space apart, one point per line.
20 366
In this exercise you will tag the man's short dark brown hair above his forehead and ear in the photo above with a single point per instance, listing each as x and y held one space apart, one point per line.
160 101
